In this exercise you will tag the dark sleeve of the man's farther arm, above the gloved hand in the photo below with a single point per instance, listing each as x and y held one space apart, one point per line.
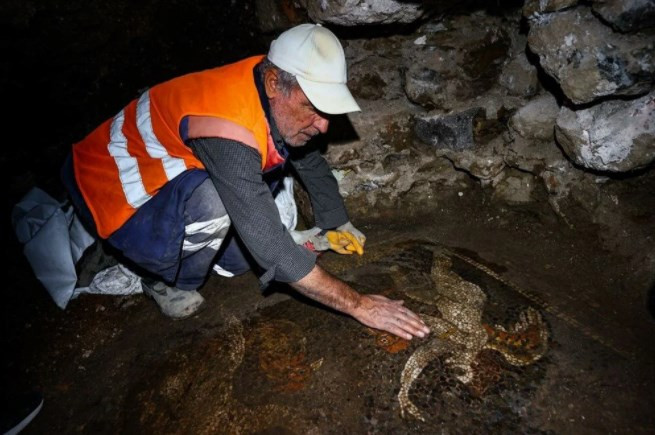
323 189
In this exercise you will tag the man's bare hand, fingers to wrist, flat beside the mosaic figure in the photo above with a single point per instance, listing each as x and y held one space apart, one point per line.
380 312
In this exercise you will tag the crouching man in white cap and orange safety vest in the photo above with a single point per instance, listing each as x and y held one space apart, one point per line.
183 180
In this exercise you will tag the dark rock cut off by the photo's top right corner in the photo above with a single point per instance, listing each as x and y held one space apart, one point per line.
626 15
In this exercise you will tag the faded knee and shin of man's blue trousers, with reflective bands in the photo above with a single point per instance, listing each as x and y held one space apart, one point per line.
206 225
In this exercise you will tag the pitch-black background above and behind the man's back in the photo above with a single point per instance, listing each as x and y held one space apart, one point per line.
69 65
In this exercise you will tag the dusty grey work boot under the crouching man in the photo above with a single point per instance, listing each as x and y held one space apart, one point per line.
173 302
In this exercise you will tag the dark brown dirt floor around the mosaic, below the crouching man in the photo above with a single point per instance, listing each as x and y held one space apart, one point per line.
273 363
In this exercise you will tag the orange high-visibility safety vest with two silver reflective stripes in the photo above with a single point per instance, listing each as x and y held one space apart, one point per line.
127 159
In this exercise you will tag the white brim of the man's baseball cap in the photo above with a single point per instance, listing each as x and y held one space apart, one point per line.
331 98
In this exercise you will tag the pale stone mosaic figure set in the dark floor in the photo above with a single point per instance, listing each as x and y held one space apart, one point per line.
460 334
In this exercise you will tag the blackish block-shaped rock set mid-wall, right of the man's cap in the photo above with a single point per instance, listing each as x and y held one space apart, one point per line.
453 131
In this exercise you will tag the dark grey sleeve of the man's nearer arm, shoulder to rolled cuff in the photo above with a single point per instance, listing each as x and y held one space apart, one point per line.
235 170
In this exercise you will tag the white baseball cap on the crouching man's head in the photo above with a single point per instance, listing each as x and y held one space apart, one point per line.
315 57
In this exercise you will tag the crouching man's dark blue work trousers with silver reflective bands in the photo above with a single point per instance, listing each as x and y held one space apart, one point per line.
184 231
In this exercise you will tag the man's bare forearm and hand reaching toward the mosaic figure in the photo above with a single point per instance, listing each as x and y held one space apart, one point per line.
375 311
